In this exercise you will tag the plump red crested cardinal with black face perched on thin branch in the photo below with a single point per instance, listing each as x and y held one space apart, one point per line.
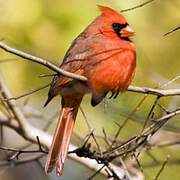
105 55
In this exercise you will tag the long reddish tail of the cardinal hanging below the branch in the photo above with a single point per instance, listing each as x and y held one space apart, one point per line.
59 147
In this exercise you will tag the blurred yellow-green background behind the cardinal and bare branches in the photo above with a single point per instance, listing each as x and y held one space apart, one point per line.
46 29
